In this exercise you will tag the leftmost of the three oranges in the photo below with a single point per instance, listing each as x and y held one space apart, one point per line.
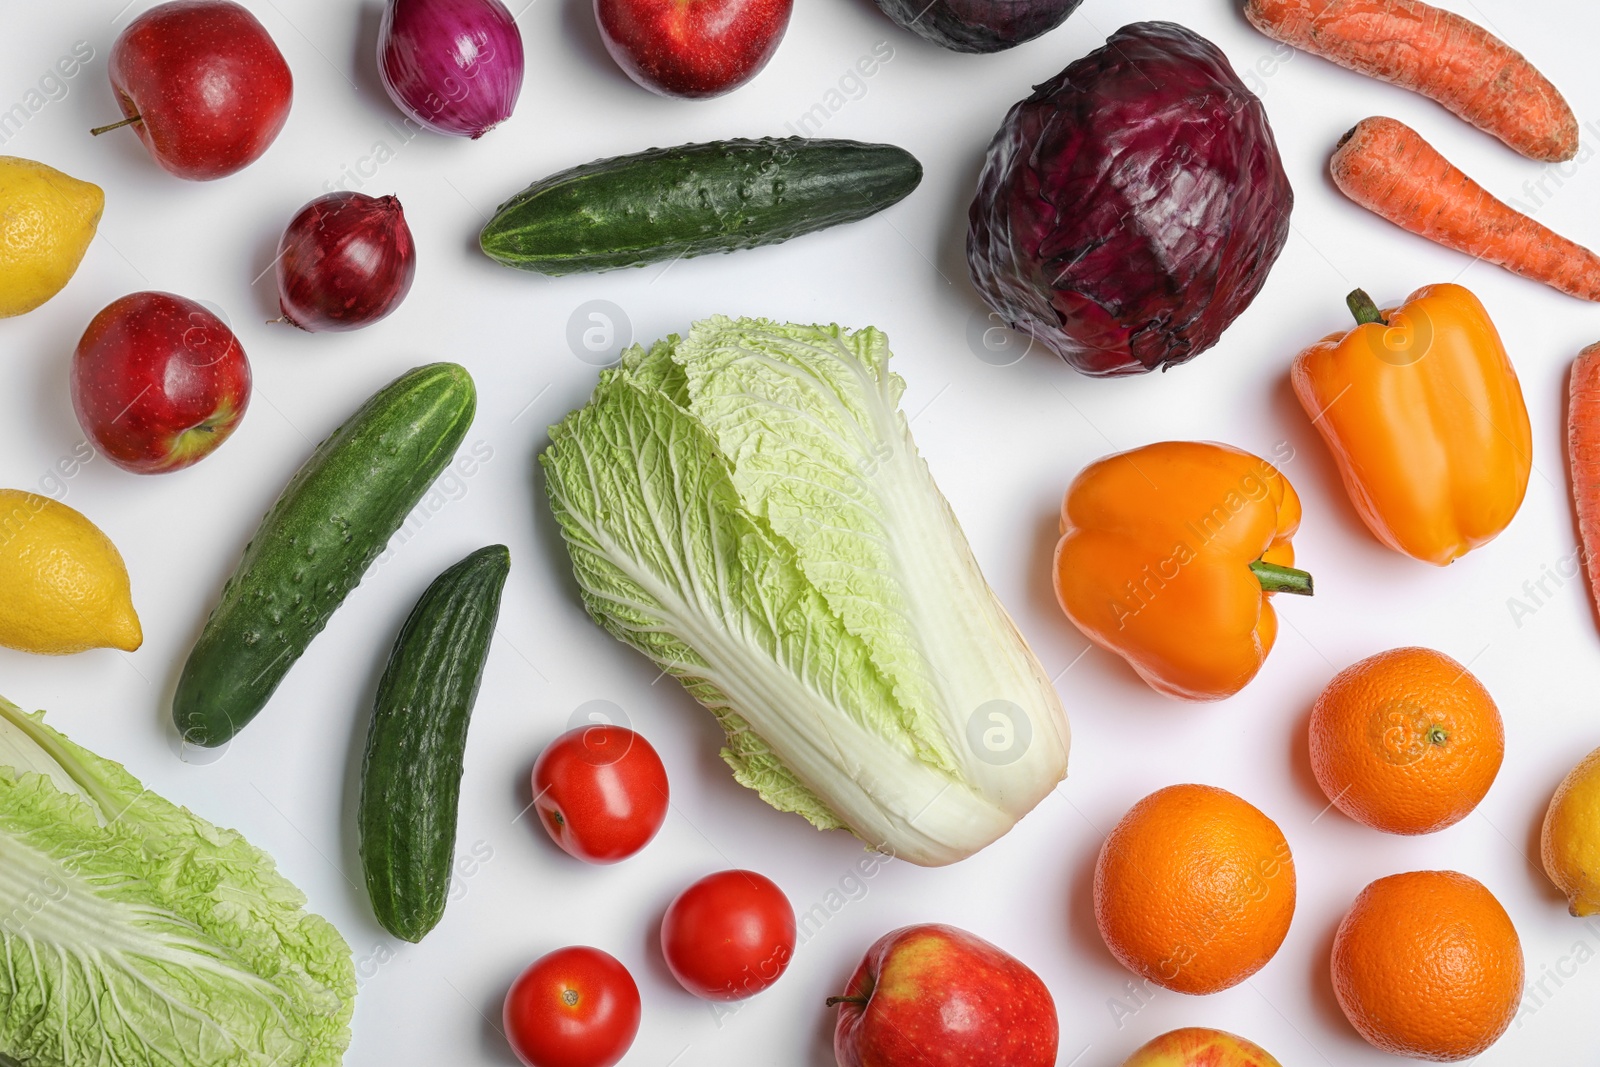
1194 890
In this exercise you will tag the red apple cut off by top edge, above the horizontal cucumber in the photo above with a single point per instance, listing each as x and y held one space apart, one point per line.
692 47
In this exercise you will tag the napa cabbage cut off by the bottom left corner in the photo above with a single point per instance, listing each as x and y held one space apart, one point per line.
137 935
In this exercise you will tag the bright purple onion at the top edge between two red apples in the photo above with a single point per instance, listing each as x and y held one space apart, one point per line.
455 66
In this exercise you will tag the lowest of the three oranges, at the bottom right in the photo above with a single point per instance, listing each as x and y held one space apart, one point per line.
1428 965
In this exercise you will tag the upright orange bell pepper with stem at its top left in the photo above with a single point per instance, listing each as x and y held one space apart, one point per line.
1425 418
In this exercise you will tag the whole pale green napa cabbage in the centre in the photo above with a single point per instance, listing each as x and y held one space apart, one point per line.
746 506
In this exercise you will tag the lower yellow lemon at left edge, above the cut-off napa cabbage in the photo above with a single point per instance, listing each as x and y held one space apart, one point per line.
66 588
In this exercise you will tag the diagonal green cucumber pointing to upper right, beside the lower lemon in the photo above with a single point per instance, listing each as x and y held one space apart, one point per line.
314 546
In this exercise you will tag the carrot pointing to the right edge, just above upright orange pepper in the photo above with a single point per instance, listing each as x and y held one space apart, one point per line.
1388 169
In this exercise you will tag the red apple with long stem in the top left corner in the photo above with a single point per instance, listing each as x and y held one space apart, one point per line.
204 87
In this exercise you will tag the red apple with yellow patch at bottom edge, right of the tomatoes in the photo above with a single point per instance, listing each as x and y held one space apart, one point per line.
940 997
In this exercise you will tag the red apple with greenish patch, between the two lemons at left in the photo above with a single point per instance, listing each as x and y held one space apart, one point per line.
159 383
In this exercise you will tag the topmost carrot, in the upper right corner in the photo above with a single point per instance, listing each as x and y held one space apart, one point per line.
1436 54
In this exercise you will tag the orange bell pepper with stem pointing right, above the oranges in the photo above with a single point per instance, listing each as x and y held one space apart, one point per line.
1169 557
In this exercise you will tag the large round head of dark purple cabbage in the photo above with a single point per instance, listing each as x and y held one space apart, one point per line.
1132 207
